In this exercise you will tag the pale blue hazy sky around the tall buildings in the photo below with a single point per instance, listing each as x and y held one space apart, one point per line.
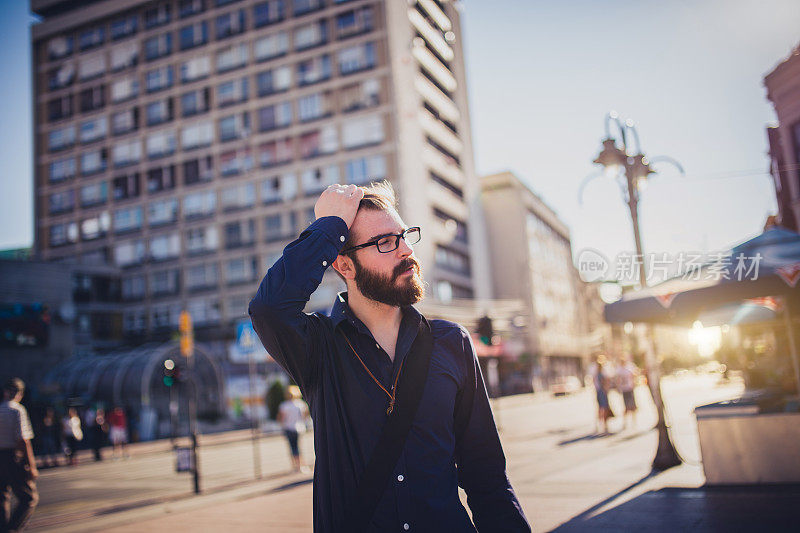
542 75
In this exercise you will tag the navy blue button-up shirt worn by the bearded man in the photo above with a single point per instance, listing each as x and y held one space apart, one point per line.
349 409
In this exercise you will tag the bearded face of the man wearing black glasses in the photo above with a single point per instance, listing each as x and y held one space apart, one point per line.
389 278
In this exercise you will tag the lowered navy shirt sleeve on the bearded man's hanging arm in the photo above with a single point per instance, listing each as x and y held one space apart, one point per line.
482 464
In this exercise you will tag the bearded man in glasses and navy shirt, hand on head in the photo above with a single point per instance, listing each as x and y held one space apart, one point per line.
399 405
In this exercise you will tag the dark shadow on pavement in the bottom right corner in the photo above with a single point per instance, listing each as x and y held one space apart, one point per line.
703 509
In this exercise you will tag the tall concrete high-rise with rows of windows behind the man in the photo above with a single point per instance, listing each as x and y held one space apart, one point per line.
184 142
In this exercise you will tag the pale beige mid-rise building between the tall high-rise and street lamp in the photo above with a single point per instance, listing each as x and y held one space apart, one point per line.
531 260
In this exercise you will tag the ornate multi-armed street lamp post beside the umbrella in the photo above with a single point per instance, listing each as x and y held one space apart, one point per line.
631 168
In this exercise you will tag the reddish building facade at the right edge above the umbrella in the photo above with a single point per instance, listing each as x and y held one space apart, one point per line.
783 90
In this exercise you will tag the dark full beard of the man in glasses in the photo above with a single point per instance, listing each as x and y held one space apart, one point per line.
385 288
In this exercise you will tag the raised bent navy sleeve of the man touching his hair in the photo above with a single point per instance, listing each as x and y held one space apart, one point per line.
291 336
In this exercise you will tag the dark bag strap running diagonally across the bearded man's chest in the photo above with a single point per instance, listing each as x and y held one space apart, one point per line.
393 436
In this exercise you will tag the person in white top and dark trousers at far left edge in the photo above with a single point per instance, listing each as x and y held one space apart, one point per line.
18 471
